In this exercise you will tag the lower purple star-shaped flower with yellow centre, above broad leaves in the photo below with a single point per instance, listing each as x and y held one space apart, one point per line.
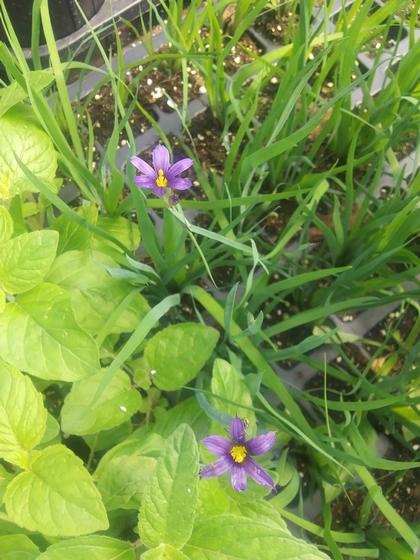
235 455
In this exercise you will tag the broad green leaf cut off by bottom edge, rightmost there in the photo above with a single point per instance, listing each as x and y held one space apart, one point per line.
230 537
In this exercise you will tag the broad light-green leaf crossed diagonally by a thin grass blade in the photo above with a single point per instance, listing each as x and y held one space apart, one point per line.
95 293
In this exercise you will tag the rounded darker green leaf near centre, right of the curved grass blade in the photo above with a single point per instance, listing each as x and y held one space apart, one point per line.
176 354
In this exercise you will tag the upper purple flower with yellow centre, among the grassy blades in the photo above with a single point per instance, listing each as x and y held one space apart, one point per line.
162 176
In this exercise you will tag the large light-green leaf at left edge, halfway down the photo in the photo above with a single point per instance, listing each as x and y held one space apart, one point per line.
39 335
